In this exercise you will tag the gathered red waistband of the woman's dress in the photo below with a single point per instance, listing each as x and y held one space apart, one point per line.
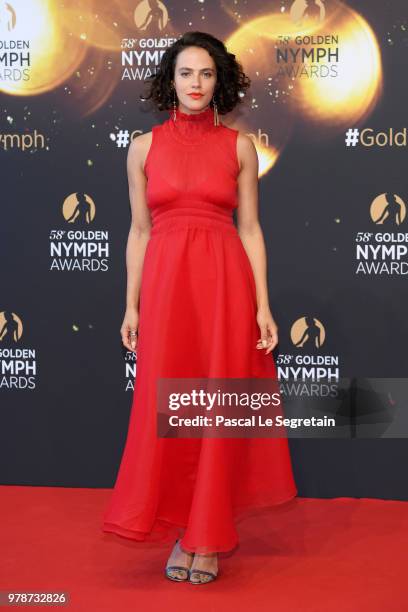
177 217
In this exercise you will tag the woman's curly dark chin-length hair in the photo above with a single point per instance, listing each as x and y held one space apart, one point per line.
231 85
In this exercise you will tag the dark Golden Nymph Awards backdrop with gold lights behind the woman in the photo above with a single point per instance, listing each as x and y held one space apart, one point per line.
327 111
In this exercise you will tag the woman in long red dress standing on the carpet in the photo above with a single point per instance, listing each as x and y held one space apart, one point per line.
197 306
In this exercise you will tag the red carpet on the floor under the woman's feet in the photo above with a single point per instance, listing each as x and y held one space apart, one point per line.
342 554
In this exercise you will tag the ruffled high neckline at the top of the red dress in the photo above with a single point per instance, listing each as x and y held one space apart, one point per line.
191 127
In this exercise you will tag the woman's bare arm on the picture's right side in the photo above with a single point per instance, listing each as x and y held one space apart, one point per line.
250 232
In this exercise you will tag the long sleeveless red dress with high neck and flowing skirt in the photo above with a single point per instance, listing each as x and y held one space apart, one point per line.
197 318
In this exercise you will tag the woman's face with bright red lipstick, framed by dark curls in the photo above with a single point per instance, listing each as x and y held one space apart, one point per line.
195 72
